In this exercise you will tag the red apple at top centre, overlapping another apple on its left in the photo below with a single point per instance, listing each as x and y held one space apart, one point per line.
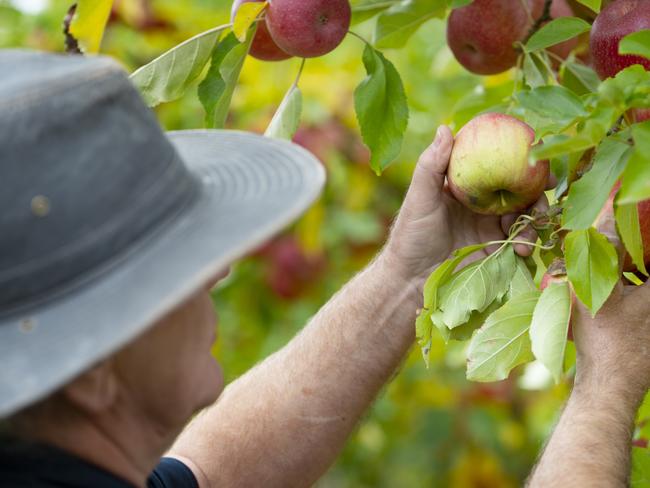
308 28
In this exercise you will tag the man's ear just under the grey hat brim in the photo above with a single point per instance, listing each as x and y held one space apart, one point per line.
95 390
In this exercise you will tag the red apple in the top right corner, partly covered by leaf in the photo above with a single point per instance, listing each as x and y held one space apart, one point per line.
614 22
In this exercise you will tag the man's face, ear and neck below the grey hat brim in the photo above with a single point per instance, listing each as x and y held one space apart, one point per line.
158 381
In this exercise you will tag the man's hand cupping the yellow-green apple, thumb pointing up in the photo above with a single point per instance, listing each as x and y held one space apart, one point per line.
432 224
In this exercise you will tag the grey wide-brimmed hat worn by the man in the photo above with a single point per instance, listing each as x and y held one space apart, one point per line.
107 223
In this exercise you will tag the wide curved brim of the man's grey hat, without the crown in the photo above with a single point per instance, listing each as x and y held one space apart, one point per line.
252 187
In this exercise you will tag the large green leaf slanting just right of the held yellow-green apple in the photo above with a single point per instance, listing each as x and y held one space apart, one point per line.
588 195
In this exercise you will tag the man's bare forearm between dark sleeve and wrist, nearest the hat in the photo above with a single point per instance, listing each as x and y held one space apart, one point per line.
283 423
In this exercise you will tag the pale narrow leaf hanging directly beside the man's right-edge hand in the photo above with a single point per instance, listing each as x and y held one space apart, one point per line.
550 326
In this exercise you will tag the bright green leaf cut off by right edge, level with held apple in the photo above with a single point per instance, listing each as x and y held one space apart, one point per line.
636 179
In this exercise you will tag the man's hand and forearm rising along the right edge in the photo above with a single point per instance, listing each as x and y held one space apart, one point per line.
591 444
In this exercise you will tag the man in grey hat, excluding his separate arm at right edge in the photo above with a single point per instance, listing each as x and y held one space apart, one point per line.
111 240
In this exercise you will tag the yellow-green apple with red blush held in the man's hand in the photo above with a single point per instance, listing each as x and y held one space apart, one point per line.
489 171
